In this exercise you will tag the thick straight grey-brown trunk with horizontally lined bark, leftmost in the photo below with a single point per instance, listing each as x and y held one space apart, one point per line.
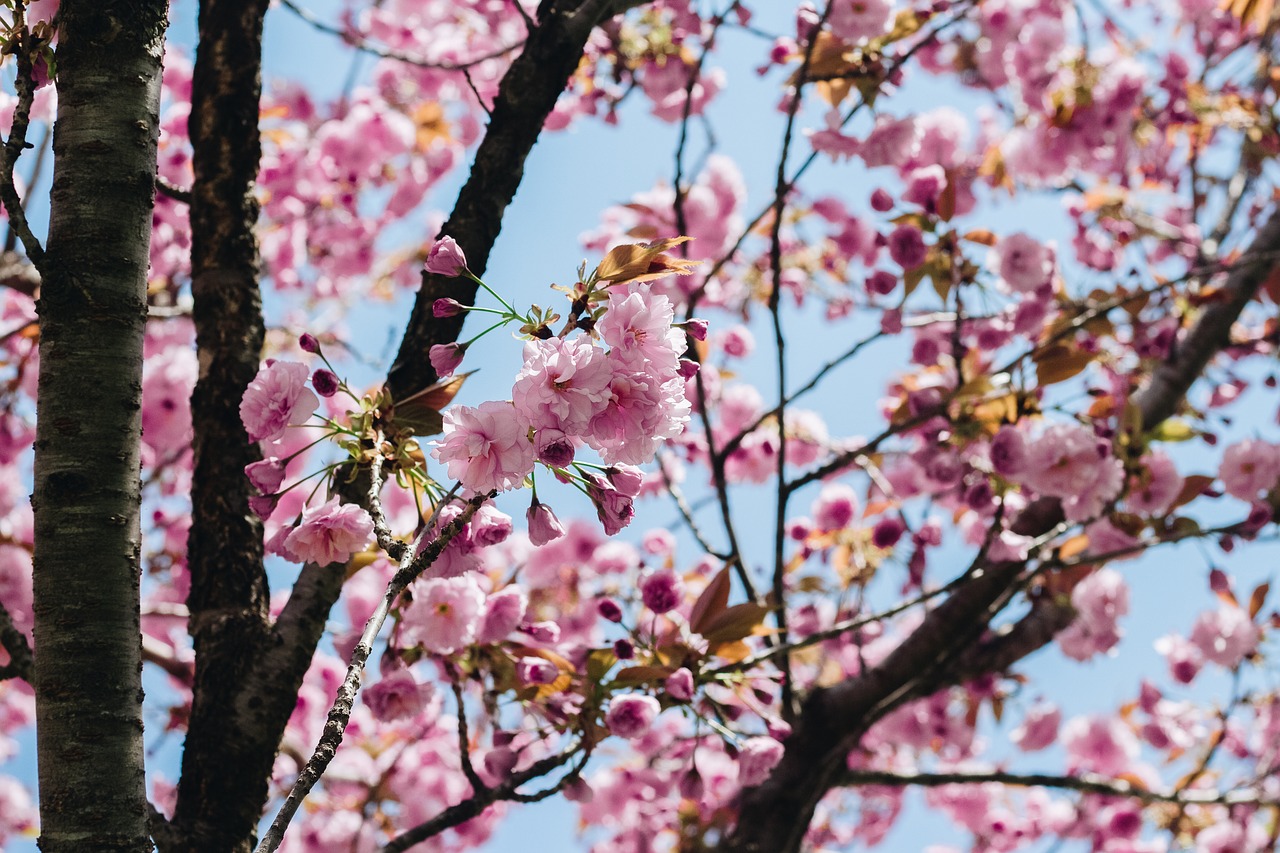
93 309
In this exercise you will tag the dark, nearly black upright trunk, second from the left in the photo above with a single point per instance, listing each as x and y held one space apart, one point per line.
227 760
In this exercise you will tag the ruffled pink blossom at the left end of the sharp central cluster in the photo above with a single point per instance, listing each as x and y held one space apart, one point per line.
487 448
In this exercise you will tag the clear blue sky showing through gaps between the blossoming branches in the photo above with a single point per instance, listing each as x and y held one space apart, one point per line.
573 176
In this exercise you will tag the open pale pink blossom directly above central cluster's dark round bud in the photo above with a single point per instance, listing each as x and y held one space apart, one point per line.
564 385
